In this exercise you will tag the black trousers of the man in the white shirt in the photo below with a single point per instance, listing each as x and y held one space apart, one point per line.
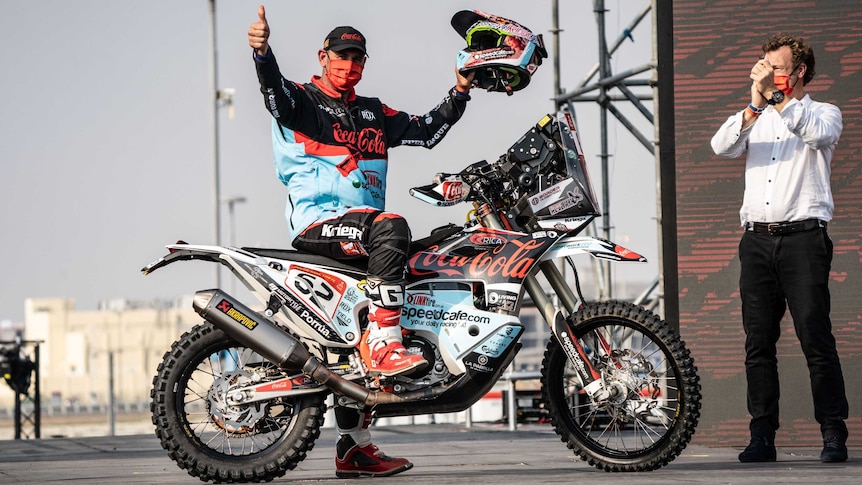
789 271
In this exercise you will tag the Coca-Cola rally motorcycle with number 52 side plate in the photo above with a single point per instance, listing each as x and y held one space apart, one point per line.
242 397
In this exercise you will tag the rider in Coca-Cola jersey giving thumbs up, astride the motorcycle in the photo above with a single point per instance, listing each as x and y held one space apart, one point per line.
330 148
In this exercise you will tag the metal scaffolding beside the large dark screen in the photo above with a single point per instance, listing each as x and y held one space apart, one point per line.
606 88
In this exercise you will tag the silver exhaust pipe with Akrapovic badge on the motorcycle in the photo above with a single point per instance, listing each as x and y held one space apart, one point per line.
247 327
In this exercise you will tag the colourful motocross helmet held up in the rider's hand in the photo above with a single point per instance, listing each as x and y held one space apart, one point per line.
503 53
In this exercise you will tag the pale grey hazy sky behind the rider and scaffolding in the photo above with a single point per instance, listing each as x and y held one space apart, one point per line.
108 140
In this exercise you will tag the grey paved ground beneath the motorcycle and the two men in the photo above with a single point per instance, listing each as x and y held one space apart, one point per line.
441 453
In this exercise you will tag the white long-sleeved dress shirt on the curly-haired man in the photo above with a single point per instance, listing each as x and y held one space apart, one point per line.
788 166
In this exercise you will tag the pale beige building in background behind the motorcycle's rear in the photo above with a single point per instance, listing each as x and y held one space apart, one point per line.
77 346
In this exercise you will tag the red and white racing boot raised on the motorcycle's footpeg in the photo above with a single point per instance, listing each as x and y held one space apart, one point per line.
382 349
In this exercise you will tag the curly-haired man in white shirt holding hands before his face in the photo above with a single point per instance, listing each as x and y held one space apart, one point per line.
785 251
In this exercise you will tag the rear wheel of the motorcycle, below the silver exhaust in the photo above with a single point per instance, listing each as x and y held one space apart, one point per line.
209 432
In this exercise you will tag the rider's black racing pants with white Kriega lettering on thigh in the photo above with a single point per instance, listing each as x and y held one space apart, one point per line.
381 237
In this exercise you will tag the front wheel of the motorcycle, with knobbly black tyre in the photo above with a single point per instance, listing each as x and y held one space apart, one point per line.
657 404
